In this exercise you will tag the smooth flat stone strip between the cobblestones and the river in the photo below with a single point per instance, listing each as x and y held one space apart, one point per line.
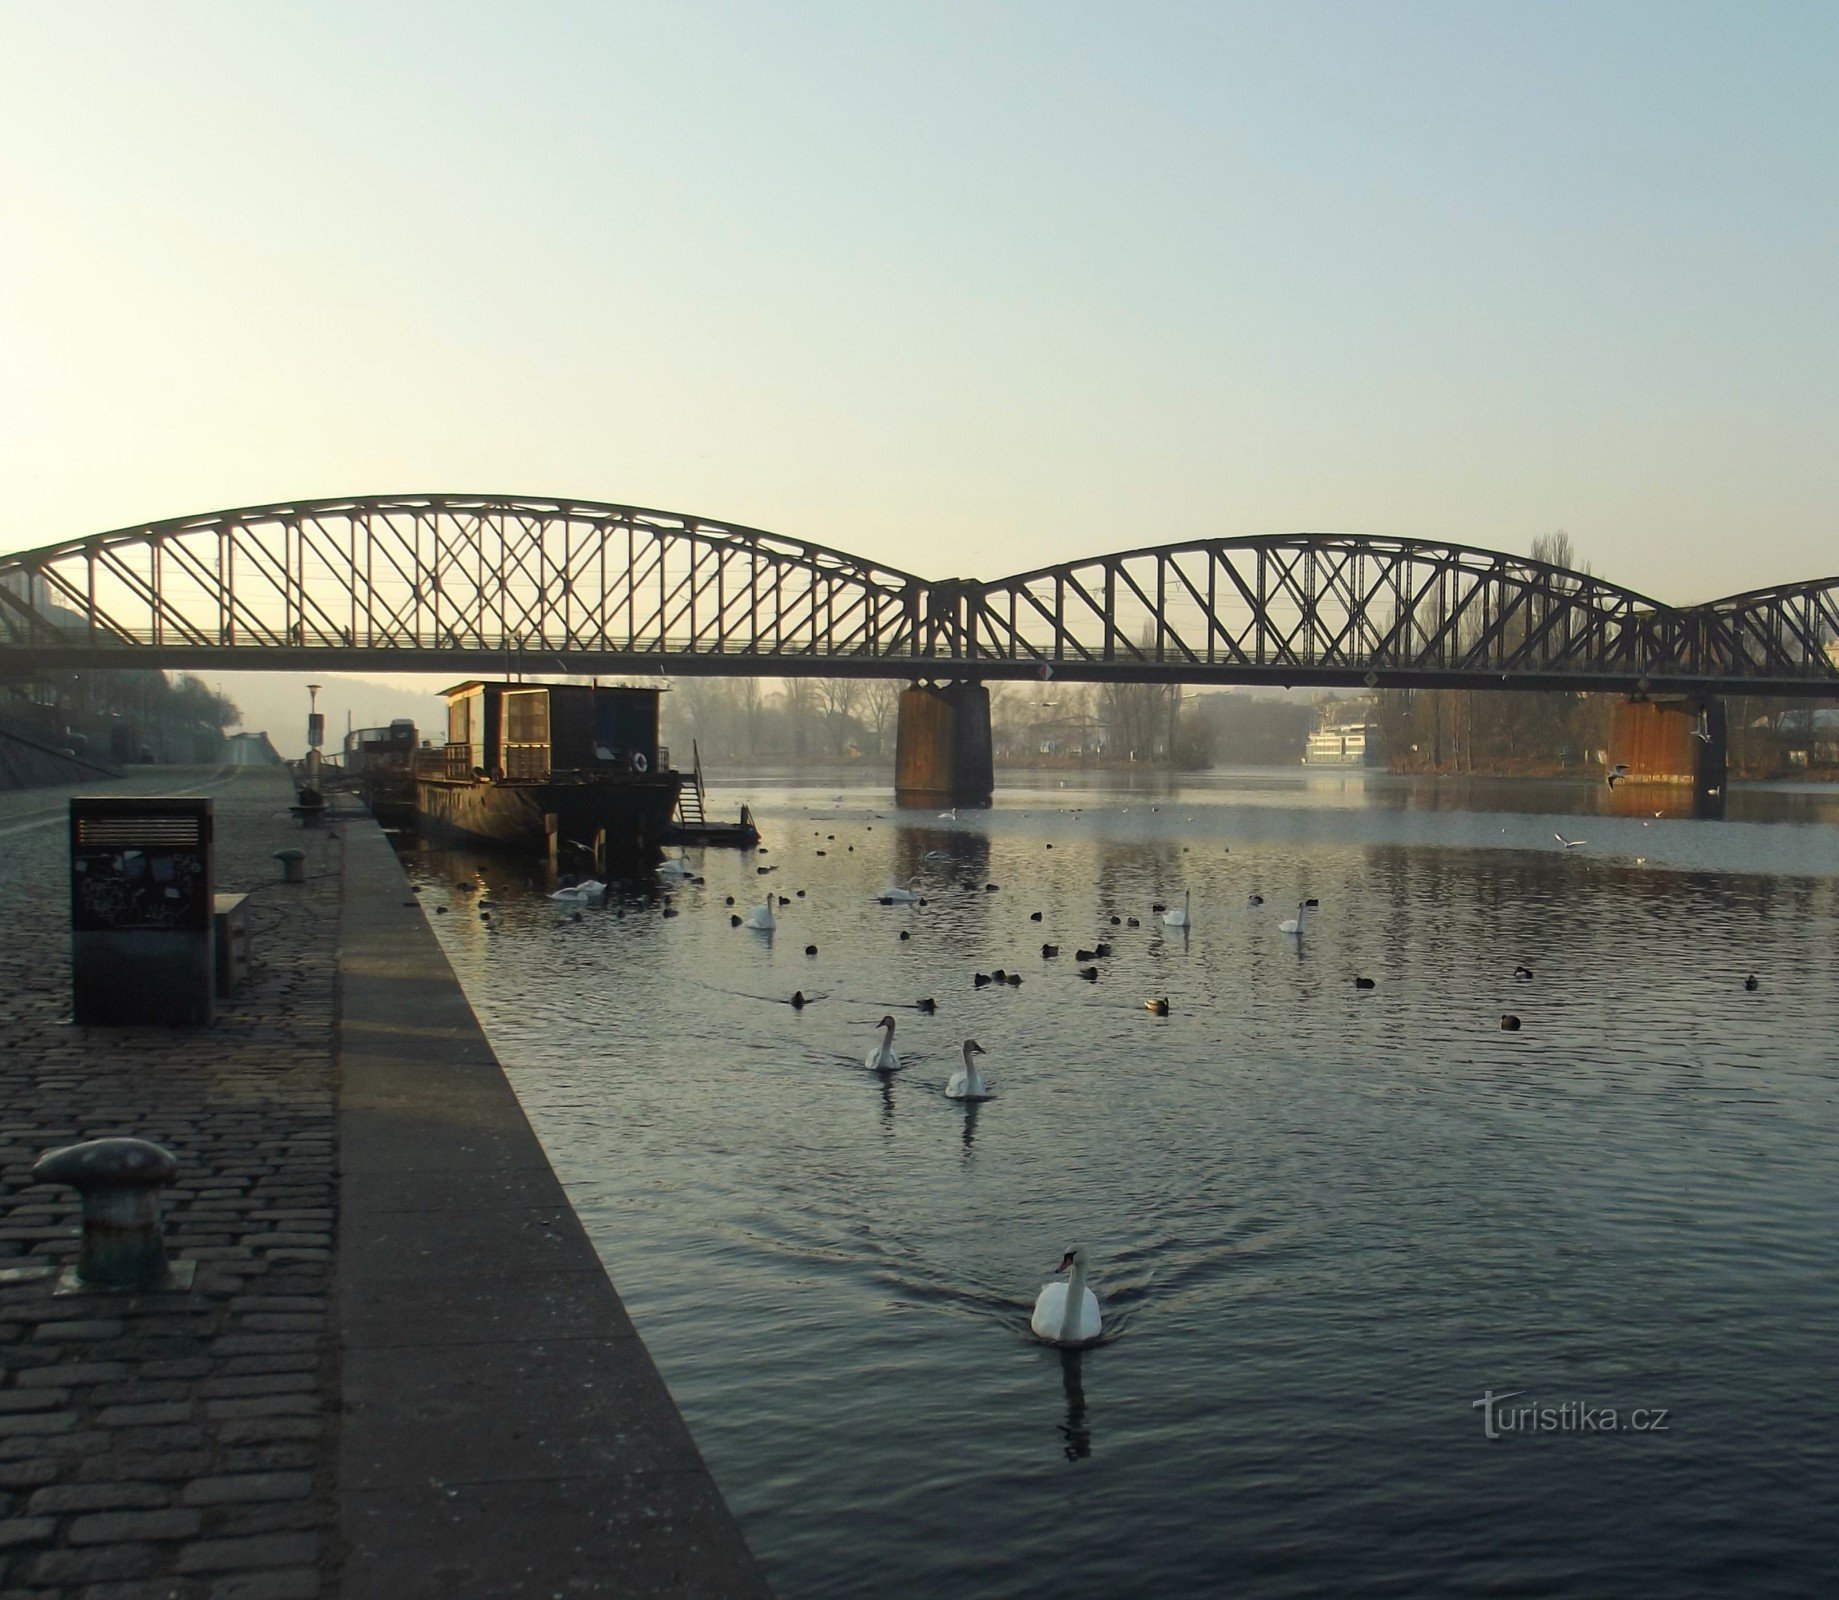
505 1430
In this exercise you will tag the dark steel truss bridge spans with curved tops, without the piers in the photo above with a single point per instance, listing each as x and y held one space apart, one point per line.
486 584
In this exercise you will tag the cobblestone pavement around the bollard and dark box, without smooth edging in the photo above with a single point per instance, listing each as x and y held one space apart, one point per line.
174 1445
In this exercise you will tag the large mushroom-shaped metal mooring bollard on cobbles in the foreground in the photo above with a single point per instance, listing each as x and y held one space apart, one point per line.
122 1242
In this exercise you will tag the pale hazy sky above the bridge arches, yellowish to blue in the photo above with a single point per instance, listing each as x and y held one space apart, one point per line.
963 288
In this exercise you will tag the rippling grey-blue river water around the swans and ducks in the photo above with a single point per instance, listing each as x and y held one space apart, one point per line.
1325 1222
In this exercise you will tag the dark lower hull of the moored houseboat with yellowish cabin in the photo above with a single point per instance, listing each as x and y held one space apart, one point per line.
634 812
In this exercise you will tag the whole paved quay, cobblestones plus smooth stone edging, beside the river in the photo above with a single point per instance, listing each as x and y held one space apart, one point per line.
354 1176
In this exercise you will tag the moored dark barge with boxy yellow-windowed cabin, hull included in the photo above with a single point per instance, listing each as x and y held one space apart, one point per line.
523 760
